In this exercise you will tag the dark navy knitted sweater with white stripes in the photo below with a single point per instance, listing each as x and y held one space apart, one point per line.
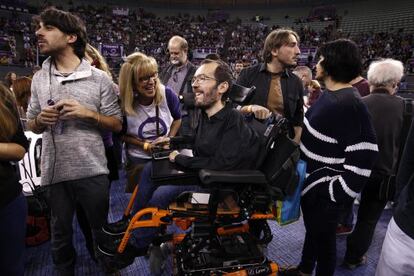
339 145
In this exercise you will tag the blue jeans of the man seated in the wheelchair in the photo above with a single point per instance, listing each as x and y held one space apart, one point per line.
152 195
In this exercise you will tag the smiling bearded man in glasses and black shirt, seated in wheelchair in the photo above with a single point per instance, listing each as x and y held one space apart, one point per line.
223 141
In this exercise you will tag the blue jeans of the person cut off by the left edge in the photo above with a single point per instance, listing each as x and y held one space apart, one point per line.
12 237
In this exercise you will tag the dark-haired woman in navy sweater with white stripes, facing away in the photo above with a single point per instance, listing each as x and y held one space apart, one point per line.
339 146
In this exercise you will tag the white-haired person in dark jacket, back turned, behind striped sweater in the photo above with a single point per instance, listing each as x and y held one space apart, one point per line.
387 112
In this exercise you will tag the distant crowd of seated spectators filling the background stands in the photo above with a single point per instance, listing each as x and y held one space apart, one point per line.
243 41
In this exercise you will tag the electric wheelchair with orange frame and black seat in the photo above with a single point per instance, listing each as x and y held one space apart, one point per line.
218 240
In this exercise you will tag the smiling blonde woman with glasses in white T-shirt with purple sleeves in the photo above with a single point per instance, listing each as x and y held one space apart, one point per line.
151 110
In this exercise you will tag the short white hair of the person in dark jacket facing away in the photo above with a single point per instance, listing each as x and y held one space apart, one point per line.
385 72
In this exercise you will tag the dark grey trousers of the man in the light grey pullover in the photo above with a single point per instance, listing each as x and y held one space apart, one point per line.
92 194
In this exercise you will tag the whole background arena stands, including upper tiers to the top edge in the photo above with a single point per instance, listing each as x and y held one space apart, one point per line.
382 29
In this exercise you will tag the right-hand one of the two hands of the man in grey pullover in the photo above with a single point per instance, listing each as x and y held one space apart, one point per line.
72 109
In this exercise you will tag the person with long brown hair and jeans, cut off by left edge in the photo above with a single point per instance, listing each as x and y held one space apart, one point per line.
13 206
